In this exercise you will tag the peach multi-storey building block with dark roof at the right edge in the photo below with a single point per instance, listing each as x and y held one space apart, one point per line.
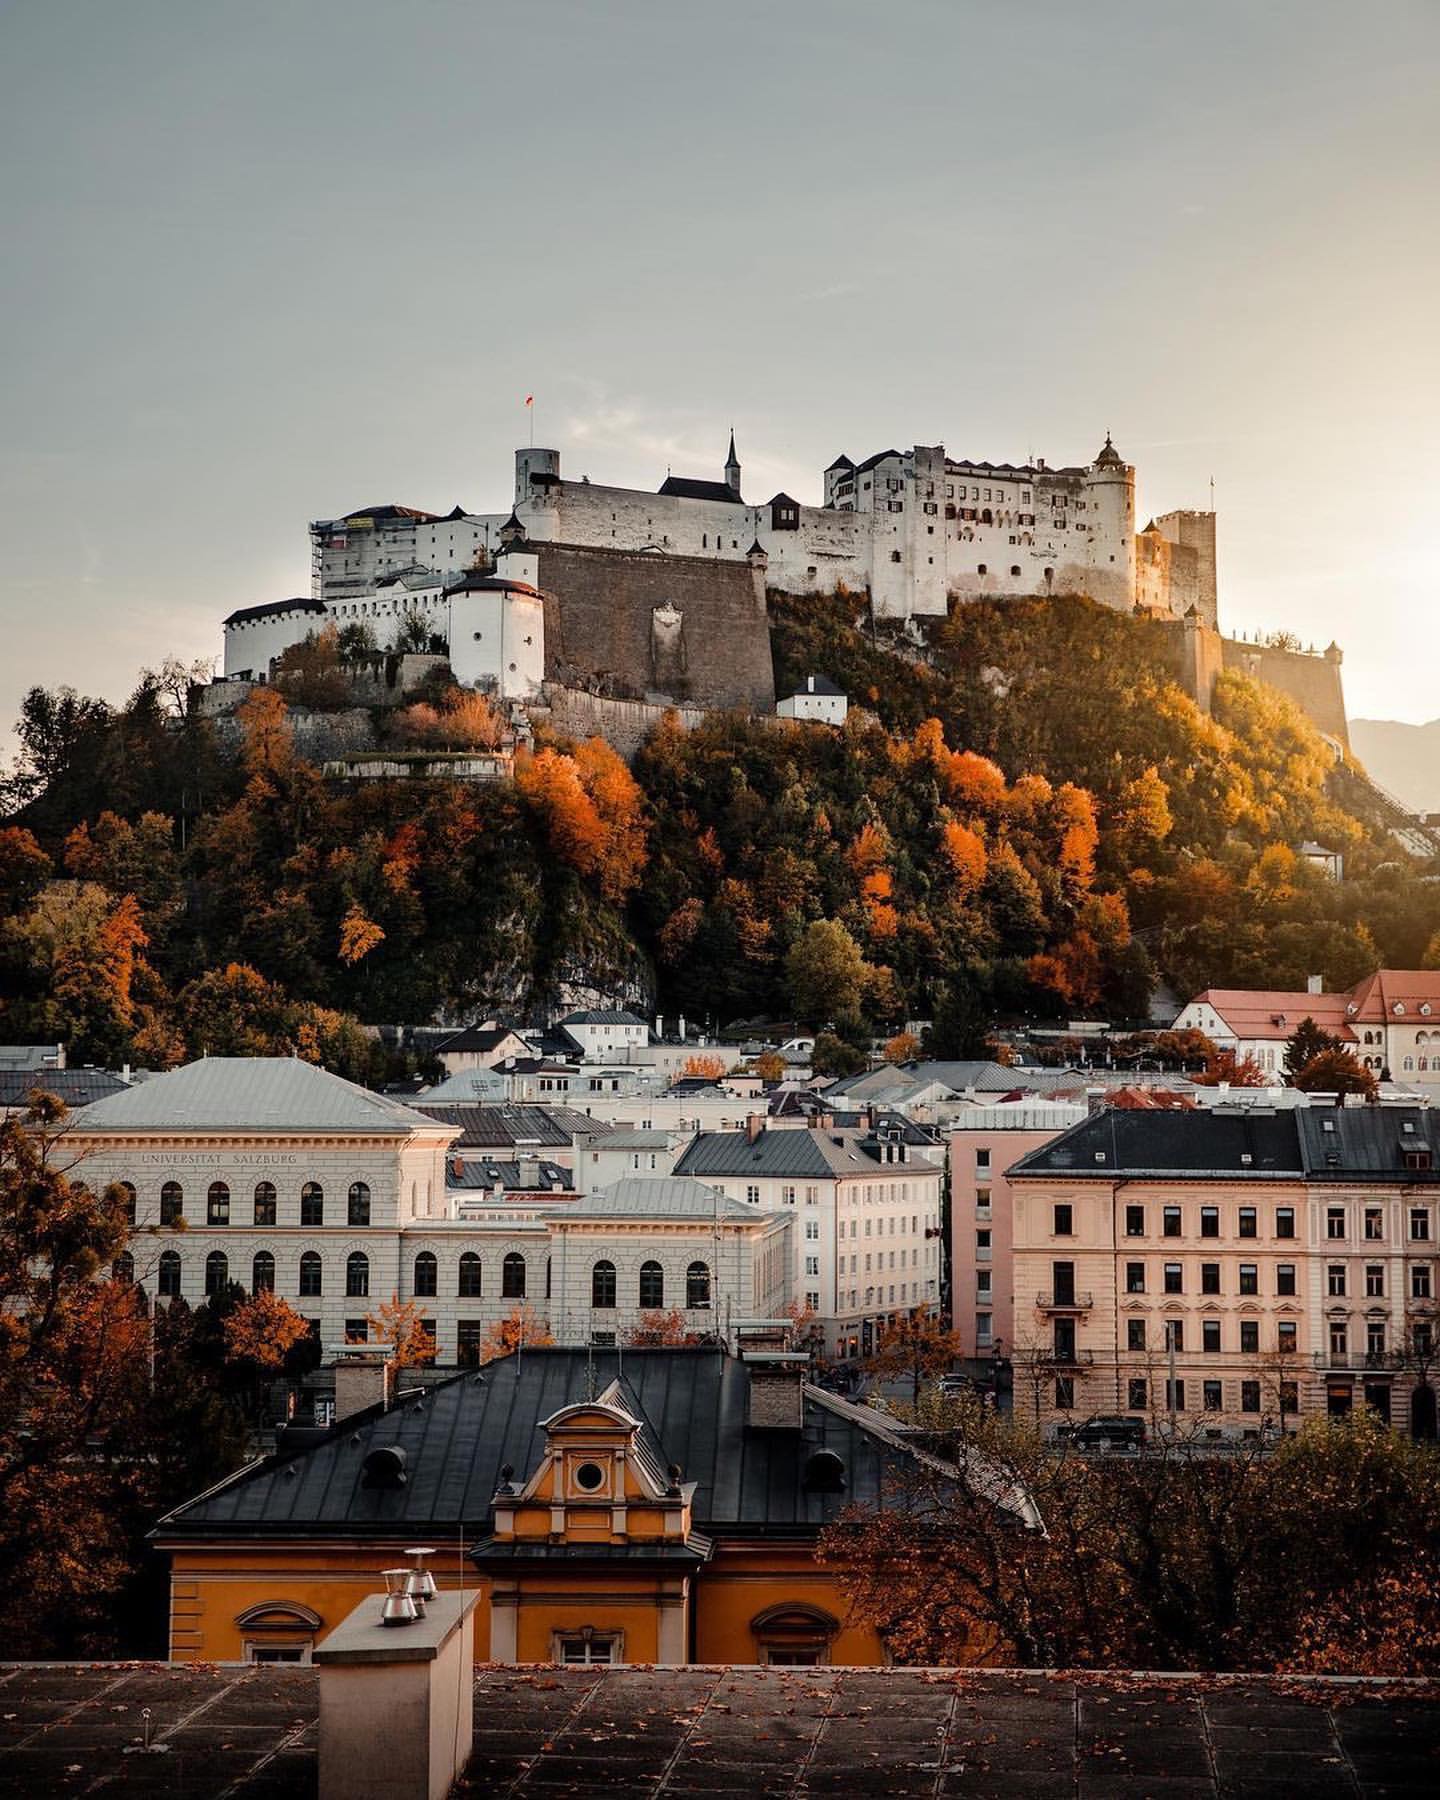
1225 1270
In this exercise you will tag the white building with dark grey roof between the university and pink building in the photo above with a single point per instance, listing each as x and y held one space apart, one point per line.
867 1207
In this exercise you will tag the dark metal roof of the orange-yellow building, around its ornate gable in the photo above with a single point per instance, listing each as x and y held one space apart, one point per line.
696 1412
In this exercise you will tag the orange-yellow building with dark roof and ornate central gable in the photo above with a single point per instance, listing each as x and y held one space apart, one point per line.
652 1506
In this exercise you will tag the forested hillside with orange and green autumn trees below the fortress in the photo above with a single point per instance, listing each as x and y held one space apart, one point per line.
1023 814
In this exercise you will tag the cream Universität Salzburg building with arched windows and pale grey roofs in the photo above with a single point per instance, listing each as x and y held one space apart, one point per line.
278 1176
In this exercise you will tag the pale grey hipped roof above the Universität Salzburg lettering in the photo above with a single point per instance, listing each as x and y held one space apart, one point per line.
251 1093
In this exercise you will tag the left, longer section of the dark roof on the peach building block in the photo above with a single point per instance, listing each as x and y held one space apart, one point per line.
1212 1142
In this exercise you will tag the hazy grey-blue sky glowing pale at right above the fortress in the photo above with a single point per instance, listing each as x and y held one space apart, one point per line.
274 260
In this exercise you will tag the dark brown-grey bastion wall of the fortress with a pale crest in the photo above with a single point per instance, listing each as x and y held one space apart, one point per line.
656 627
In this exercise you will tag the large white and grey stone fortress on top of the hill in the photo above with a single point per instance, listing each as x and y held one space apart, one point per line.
661 597
